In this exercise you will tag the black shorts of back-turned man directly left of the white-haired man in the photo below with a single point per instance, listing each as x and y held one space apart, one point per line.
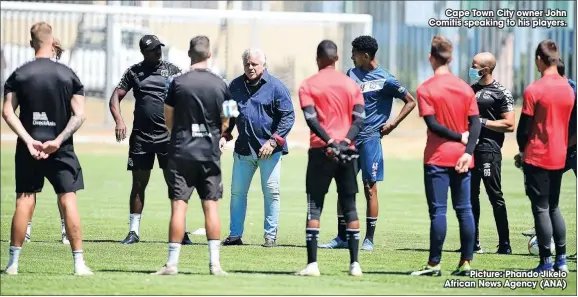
183 177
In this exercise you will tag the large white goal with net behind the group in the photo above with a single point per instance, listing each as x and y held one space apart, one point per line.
101 41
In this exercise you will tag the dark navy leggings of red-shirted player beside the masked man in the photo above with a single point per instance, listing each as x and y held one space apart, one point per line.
437 180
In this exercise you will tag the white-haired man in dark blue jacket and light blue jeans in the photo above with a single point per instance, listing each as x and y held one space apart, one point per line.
266 117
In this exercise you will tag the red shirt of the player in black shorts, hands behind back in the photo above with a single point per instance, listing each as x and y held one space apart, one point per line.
333 94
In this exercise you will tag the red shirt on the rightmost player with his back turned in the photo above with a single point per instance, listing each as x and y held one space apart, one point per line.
549 100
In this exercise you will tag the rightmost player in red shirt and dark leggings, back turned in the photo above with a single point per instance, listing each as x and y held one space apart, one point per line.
542 138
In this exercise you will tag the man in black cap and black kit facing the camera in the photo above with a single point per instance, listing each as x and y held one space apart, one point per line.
149 137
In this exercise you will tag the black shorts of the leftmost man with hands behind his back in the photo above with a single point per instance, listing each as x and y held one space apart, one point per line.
62 170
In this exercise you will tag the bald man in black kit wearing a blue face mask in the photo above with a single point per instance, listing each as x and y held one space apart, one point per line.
496 107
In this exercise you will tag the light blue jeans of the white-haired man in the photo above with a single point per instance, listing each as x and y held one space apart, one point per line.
244 168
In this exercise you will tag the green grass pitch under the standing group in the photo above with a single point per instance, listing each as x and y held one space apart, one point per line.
402 238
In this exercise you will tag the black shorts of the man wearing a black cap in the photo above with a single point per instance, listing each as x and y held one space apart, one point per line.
141 153
